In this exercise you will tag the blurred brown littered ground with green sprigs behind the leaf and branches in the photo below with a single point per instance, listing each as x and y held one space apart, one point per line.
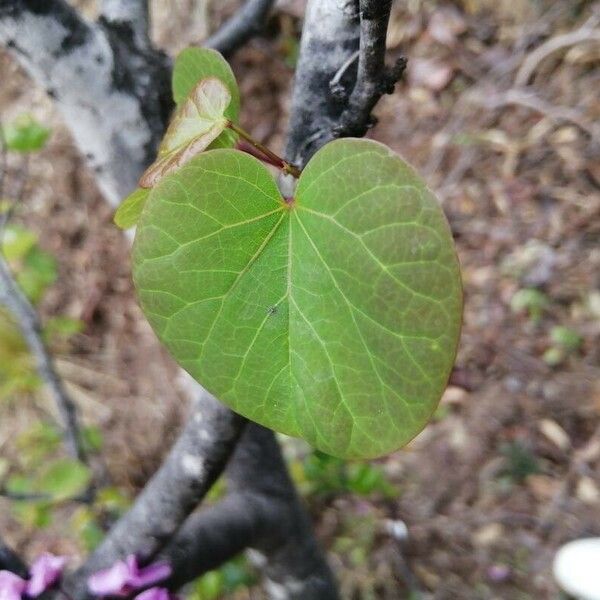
500 112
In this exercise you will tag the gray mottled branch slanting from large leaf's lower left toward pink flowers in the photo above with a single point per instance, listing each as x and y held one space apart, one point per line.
190 469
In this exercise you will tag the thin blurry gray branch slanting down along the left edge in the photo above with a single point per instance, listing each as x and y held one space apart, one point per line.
27 320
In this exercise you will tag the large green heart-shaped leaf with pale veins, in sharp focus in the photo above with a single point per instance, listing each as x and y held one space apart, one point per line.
334 317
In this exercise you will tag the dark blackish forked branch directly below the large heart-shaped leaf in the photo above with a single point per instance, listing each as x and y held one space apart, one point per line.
262 512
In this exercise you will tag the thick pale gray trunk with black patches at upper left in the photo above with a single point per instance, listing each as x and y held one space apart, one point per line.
112 94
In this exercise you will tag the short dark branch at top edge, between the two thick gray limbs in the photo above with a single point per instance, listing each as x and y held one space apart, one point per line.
247 22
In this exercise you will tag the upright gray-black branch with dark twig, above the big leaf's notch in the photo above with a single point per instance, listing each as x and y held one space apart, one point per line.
321 111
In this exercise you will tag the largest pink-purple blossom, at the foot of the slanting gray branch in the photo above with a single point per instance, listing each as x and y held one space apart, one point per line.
126 576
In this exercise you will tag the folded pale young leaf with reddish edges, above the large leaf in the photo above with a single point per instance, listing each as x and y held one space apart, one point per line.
198 121
